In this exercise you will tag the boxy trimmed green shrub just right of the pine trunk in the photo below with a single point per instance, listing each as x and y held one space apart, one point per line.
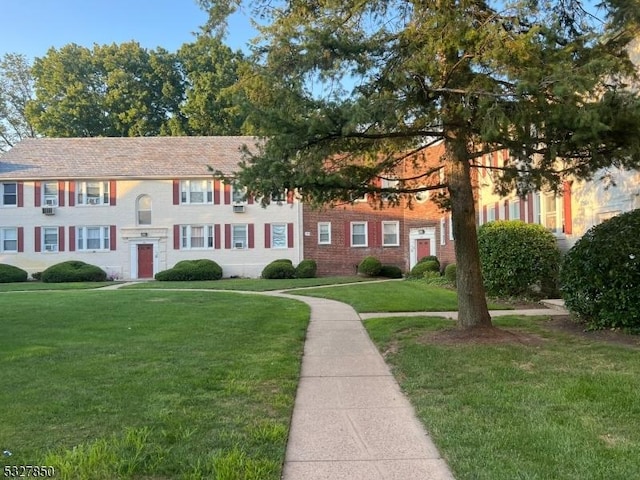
518 259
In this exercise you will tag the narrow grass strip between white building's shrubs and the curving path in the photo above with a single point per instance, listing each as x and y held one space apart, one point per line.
250 284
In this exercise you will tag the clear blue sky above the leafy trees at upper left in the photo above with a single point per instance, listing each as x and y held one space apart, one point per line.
31 27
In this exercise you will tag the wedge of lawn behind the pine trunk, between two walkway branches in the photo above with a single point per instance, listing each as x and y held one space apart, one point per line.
392 296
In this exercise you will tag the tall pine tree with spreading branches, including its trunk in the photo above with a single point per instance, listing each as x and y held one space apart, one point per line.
362 81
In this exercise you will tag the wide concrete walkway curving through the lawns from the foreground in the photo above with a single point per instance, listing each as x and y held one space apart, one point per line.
350 420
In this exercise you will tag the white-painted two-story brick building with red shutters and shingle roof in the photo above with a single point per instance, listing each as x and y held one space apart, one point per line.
136 206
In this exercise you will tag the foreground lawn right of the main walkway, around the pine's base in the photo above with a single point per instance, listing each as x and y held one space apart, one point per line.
563 407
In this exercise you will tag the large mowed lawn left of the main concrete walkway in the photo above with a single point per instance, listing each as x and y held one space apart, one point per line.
149 384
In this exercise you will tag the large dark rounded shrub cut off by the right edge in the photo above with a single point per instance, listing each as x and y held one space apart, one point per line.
600 274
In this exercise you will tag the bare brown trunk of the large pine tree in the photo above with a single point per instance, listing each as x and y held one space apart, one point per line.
472 303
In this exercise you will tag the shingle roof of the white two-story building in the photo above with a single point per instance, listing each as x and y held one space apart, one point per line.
129 157
